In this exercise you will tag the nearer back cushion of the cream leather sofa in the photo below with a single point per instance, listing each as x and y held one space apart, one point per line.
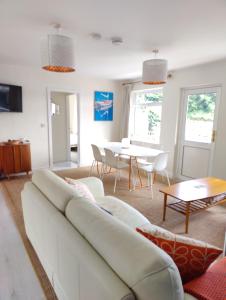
144 267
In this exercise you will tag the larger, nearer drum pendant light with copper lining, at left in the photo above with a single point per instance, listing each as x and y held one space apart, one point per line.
58 53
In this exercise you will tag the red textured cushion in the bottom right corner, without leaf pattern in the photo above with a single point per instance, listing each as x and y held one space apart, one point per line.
211 285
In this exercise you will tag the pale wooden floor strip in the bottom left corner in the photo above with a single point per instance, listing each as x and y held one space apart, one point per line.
17 278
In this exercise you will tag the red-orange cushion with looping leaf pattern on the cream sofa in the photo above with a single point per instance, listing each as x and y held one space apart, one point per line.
192 257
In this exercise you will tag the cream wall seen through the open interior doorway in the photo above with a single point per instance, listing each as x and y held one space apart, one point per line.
59 128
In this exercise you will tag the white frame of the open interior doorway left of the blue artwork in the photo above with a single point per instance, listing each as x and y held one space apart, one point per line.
49 121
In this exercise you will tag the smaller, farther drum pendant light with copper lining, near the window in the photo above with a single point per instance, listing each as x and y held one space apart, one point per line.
154 70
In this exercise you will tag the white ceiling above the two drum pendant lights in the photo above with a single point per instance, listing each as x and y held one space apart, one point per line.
186 32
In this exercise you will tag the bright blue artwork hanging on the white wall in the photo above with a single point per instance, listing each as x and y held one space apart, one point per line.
103 106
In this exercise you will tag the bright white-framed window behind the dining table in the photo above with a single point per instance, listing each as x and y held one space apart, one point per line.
145 115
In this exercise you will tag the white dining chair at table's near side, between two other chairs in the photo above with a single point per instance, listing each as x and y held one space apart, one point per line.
113 161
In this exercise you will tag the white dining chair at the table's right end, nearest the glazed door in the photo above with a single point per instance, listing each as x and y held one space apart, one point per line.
158 166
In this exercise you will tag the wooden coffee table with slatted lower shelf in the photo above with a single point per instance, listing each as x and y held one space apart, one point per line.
194 195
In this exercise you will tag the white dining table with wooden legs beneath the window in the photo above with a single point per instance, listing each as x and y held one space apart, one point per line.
133 152
